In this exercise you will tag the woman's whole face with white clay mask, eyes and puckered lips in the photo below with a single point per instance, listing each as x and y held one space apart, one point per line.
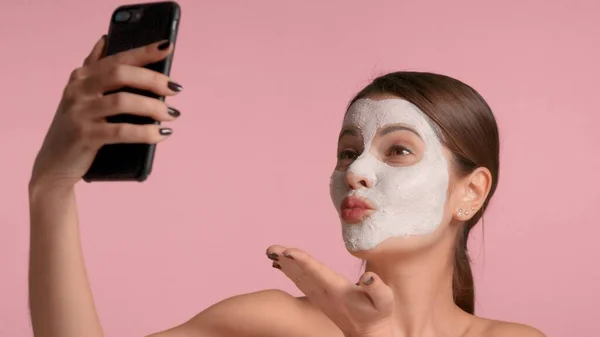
392 177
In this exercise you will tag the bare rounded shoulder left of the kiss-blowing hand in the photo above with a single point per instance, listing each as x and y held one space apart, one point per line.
267 313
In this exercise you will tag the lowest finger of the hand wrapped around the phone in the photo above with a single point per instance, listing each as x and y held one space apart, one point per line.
113 133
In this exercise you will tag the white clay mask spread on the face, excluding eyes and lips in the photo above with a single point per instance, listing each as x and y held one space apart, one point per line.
409 200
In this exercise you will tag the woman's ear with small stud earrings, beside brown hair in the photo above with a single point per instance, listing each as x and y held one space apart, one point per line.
472 191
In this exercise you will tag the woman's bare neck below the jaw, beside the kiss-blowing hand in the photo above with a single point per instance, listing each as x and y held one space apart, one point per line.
422 286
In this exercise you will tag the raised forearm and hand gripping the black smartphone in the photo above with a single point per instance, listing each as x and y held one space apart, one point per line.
60 299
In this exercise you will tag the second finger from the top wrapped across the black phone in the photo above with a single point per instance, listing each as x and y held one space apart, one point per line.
120 76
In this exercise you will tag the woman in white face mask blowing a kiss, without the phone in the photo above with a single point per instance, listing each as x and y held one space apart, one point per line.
417 166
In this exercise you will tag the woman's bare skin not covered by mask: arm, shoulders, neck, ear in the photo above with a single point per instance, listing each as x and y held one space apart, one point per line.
398 296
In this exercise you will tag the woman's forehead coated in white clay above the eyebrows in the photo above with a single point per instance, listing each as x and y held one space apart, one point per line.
370 115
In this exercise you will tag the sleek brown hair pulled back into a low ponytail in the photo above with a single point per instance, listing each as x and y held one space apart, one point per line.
467 127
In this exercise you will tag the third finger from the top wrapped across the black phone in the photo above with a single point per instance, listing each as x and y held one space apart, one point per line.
128 103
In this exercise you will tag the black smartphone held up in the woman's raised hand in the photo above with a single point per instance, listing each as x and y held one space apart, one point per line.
133 26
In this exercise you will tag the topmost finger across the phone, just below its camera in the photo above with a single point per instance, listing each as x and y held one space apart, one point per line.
140 56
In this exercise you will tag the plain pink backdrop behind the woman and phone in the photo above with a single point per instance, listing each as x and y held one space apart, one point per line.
266 84
